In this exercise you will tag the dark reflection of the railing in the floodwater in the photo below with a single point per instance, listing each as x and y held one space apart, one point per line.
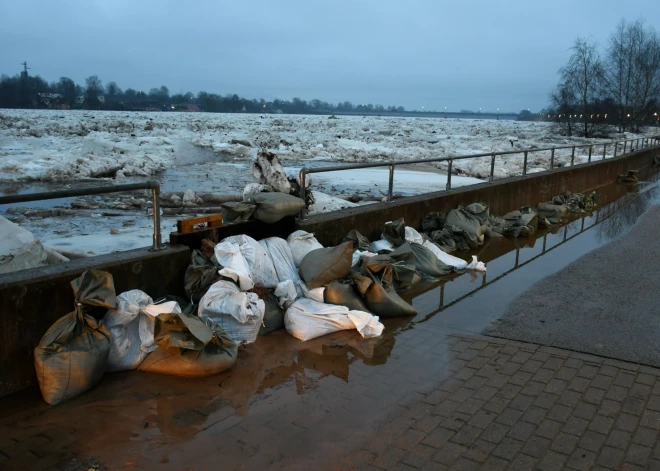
609 210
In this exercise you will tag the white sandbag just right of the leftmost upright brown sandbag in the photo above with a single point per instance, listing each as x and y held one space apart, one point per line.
124 326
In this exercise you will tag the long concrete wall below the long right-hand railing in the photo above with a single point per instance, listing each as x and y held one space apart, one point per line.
501 196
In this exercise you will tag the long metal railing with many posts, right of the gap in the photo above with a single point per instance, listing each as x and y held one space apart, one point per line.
635 145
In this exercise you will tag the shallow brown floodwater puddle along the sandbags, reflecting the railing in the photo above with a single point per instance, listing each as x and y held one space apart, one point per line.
288 404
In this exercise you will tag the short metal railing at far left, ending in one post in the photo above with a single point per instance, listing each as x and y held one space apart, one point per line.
51 195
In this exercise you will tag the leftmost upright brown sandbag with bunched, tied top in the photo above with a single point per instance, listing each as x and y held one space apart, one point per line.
73 353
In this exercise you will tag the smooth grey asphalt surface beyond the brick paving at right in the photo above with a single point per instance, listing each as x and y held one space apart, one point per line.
617 287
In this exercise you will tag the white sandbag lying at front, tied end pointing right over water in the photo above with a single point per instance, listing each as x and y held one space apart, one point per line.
307 320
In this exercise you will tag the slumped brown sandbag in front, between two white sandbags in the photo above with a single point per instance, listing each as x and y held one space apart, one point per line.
188 346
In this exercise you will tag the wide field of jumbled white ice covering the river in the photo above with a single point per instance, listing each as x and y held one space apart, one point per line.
49 145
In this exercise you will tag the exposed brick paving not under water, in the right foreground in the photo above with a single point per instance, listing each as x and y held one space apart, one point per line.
517 406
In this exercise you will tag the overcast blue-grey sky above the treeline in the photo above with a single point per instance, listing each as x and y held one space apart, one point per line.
462 54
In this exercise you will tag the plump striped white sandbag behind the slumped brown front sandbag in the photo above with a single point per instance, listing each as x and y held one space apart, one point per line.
239 314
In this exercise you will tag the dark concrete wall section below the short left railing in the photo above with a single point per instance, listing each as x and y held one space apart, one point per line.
31 300
